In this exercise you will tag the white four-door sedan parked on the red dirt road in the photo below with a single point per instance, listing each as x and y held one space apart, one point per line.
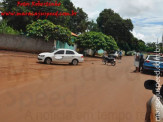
61 56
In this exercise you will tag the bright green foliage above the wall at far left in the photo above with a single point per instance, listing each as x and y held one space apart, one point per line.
5 29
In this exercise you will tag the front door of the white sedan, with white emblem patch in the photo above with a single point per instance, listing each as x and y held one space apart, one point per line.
58 56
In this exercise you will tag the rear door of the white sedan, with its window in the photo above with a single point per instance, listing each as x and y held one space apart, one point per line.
69 56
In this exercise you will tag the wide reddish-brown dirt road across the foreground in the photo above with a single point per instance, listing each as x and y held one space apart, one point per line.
89 92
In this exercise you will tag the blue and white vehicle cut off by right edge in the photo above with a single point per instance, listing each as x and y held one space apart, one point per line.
153 63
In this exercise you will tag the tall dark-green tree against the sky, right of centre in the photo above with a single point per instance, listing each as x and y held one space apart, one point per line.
110 23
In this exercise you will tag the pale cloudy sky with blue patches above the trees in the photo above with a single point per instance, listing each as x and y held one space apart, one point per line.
146 15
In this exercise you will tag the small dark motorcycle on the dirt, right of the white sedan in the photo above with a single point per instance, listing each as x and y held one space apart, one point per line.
107 60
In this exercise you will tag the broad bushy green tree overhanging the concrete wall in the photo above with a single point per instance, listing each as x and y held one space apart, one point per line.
47 30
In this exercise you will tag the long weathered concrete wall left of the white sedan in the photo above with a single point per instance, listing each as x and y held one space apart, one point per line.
22 43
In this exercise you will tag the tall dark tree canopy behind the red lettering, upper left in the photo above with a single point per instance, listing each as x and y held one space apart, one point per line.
76 24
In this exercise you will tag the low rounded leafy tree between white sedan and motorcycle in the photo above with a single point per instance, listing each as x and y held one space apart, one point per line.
96 41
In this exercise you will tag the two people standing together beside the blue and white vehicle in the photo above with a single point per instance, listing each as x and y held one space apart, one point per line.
139 60
